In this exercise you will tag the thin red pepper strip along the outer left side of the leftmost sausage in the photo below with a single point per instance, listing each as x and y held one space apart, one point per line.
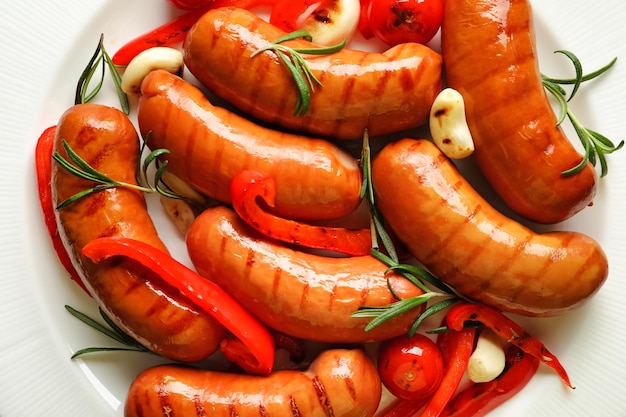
43 169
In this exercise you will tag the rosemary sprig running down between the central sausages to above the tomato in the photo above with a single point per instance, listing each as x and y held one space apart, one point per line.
414 274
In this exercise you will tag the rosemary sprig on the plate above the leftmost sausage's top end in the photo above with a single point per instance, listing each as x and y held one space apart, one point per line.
100 58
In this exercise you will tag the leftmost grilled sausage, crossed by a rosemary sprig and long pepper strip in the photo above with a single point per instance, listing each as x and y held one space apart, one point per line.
106 139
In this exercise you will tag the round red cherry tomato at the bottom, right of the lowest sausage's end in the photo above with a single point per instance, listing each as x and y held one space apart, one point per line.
411 369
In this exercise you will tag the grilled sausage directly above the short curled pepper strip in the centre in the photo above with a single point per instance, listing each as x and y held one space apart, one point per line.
209 145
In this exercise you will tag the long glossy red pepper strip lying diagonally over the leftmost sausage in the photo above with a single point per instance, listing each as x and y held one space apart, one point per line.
255 338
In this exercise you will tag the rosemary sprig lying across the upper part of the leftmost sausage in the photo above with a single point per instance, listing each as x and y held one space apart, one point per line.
77 166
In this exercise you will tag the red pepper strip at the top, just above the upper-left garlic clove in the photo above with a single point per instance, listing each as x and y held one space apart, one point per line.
175 31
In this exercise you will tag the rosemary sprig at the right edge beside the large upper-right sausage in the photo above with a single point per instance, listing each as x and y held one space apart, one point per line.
596 146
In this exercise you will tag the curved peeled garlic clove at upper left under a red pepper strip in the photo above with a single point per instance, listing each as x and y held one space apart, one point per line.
159 57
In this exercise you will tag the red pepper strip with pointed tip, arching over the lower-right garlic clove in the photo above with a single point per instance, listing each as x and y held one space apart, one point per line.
507 329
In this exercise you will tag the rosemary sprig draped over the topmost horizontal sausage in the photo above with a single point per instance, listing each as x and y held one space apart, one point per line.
300 71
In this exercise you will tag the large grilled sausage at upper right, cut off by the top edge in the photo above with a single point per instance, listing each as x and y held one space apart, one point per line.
490 58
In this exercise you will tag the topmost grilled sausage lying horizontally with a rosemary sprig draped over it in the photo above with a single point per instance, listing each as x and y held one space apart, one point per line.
385 93
